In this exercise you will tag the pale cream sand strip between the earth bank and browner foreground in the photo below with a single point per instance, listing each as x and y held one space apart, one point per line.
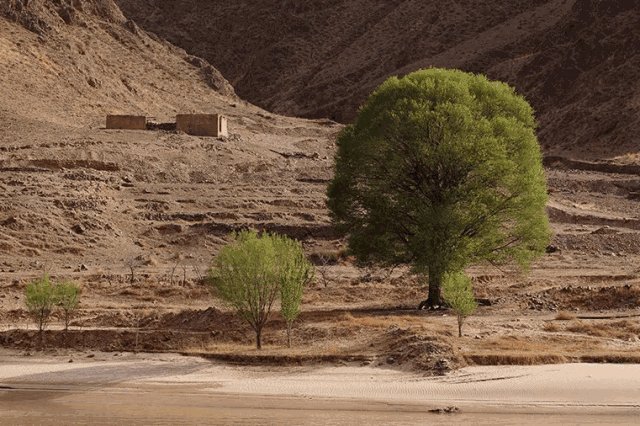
546 388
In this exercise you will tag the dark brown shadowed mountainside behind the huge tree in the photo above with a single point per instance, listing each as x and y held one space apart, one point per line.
577 61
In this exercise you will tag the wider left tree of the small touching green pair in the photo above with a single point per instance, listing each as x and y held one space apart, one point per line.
243 274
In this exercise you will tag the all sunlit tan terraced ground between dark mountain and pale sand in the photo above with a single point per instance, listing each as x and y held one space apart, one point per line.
136 216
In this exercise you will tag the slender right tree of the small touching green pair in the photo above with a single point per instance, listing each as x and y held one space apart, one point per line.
294 272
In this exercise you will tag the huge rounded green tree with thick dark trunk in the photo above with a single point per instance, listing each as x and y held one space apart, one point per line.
441 169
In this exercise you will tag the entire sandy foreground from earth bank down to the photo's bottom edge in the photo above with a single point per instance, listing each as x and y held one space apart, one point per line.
169 388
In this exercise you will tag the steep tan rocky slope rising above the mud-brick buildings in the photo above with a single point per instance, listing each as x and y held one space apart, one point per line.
70 62
